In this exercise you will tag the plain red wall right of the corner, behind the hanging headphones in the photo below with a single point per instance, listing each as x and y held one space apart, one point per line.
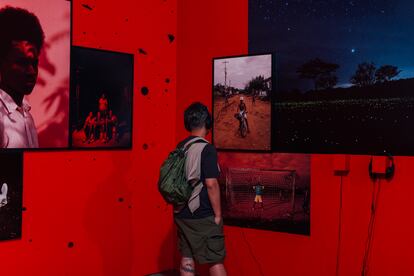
219 28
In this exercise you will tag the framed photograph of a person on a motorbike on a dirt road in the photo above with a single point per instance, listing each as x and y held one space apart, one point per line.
242 97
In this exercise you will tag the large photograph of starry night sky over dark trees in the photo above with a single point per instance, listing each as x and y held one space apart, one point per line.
344 79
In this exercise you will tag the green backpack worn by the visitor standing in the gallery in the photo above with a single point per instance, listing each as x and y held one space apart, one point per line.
172 183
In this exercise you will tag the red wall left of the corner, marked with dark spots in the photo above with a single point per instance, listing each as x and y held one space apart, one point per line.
99 212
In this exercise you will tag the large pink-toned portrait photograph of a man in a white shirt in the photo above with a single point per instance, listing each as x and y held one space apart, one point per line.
34 73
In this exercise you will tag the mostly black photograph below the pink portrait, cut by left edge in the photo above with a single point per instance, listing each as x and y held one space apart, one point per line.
11 195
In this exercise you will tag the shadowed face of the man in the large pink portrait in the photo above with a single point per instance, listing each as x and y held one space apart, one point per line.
20 68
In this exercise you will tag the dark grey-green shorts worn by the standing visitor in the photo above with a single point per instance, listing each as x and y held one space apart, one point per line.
201 239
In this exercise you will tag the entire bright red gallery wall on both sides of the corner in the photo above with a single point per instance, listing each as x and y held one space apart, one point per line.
107 203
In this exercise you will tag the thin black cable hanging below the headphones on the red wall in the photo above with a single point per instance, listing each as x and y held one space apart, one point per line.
368 244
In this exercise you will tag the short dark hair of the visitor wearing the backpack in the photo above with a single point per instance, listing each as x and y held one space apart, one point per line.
197 116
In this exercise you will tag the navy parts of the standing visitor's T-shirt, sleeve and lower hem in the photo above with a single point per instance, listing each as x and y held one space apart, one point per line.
209 169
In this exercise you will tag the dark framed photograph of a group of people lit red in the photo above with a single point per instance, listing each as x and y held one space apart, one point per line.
101 99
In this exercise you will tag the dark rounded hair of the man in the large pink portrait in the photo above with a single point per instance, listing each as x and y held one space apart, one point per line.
18 25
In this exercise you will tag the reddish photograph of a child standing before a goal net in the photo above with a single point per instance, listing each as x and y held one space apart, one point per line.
266 191
